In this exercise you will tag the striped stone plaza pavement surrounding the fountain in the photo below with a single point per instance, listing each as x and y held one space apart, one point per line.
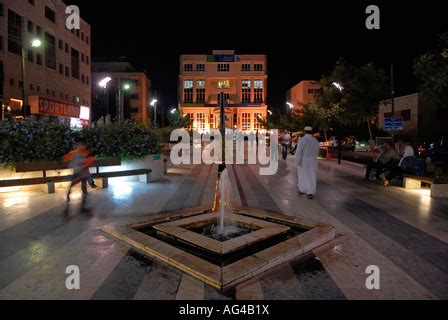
403 232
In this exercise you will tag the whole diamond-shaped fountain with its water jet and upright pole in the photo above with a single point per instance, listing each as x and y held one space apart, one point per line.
223 245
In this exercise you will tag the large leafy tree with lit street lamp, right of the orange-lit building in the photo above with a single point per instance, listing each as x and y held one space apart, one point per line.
356 97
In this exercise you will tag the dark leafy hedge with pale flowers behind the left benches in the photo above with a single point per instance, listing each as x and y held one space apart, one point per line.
27 142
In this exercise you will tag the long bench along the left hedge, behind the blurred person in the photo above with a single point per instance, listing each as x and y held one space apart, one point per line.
103 177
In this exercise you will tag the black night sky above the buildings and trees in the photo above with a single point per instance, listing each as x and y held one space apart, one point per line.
303 39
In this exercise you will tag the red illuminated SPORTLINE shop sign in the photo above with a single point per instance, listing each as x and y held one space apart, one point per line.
56 108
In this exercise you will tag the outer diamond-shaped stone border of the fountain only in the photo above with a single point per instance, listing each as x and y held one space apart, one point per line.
224 278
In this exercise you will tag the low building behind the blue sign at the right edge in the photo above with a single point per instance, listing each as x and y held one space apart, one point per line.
421 118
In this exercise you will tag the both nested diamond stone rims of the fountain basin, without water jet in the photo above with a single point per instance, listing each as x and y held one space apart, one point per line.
267 225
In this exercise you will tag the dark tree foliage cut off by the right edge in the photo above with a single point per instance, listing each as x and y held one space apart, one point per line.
431 71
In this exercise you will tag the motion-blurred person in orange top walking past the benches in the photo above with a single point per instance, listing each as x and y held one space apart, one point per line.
80 159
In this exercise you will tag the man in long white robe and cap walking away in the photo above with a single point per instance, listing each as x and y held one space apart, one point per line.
307 165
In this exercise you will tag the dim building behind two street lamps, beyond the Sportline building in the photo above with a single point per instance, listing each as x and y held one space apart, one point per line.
134 104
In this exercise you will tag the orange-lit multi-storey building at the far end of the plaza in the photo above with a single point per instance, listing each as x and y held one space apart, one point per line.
242 79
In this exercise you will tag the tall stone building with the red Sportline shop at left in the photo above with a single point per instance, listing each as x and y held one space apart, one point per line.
57 74
